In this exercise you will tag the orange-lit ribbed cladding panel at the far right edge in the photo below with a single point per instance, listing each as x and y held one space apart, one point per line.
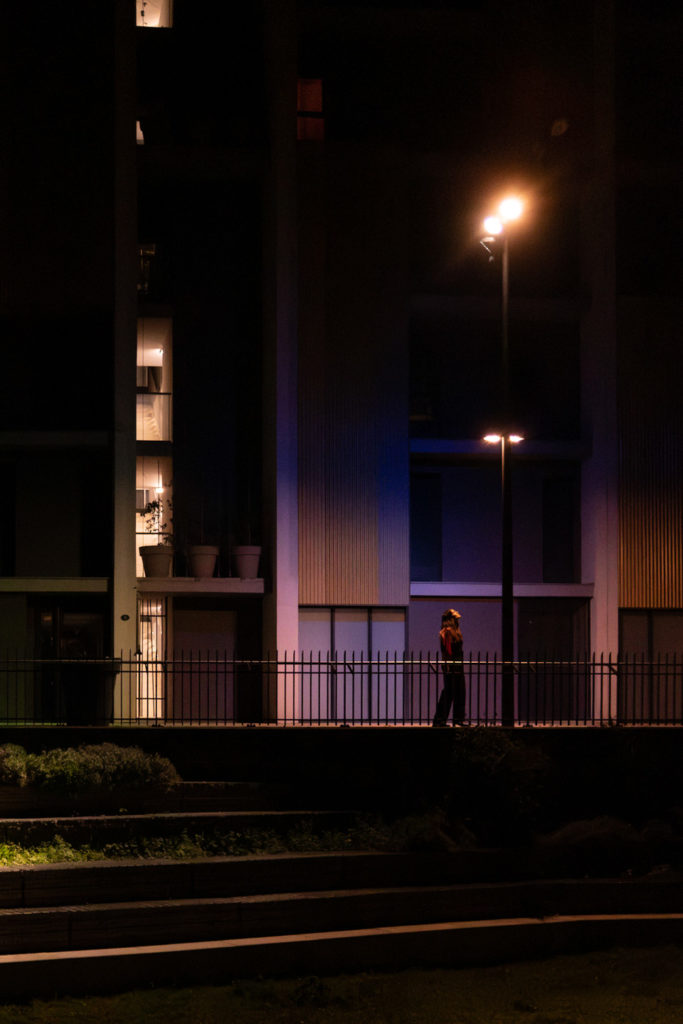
651 467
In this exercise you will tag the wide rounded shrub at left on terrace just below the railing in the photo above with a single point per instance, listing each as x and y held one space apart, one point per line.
103 767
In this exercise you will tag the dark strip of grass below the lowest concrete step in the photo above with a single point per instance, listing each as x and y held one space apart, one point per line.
619 987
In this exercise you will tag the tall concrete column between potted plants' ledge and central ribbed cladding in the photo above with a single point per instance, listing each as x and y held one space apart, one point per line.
281 613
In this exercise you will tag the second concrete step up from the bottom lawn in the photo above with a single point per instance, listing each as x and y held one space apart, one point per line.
152 922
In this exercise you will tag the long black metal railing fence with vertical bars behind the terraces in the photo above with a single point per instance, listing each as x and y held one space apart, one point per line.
340 690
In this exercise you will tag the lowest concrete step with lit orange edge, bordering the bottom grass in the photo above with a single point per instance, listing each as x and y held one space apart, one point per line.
450 945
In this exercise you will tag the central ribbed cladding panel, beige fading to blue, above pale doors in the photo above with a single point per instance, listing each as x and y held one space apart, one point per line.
354 517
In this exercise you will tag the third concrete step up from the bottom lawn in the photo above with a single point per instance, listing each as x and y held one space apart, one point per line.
121 881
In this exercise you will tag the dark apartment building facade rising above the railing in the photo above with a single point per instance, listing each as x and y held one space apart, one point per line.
246 304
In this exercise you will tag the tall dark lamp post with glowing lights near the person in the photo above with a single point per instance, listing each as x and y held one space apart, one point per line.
509 210
